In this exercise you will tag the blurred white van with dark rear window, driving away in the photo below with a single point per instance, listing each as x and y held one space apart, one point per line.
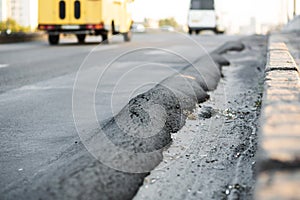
202 16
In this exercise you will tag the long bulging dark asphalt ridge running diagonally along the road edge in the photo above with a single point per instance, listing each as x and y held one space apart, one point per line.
142 128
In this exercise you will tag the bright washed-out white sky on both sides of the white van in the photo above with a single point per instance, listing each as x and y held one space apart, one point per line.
237 11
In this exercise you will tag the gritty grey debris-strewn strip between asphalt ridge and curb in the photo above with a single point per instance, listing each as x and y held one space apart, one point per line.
213 155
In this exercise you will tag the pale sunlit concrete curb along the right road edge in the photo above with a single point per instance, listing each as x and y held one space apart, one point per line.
279 154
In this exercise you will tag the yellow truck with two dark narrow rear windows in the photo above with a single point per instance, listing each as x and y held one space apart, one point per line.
84 17
